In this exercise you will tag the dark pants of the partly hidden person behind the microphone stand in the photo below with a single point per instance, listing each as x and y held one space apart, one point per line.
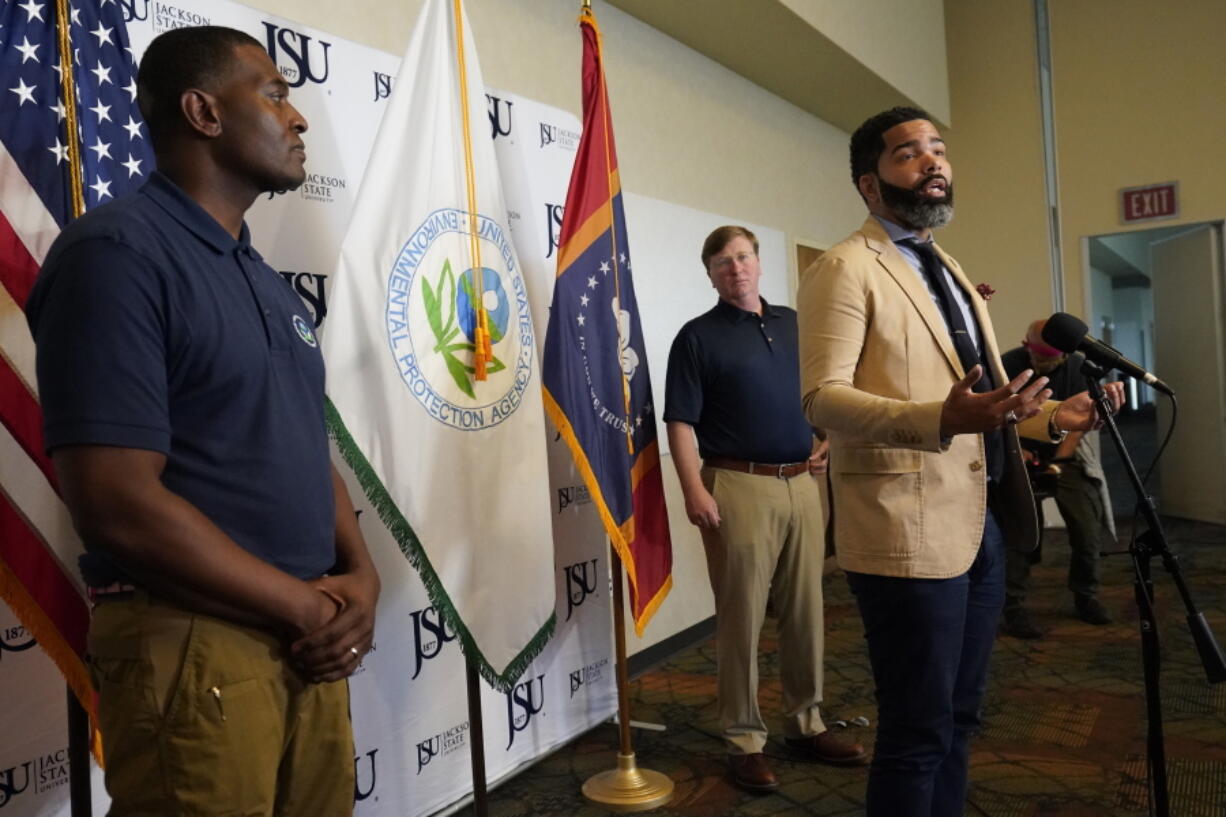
1086 517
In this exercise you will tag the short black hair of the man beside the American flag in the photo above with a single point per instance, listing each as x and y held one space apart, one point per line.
196 57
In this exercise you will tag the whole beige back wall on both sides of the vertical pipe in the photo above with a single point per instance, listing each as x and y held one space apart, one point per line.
1140 99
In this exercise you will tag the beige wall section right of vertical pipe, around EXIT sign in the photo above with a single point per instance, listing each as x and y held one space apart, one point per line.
1146 105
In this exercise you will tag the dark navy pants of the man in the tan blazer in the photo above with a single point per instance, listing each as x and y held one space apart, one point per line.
929 642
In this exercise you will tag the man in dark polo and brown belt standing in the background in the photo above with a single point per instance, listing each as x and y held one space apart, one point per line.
734 382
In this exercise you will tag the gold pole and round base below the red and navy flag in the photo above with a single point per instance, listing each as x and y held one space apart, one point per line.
627 788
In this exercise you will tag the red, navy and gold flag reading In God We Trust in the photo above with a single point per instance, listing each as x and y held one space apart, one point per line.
595 366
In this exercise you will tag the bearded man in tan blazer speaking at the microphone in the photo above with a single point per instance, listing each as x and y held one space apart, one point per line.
899 364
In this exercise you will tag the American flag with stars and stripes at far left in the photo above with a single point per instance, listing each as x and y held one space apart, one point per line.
39 549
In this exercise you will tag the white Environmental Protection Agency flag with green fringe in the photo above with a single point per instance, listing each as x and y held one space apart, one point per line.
455 466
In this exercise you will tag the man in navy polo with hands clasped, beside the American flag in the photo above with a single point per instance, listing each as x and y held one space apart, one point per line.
183 397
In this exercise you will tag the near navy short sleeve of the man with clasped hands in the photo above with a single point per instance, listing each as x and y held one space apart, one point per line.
101 331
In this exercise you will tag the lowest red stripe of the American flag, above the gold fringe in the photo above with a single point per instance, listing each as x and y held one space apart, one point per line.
39 572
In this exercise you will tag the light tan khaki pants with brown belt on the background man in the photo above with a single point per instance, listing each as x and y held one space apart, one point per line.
771 543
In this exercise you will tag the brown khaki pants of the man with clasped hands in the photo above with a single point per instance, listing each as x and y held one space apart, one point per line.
203 718
